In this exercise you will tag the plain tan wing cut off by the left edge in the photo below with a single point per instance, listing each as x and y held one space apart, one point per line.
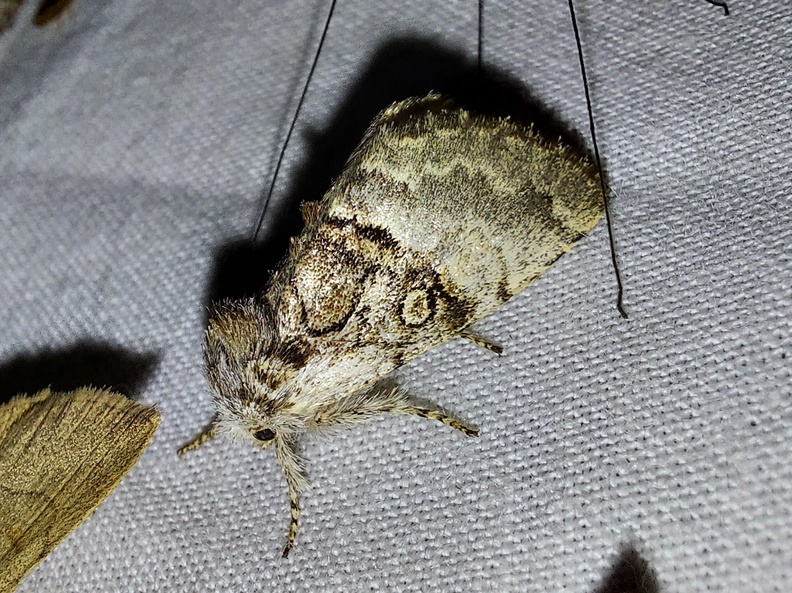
60 456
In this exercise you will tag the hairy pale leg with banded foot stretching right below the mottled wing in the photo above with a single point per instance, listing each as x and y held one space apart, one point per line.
364 405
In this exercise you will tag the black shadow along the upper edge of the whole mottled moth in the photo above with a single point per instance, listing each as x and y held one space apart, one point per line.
401 68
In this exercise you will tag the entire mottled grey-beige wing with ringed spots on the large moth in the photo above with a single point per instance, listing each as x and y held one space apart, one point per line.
439 217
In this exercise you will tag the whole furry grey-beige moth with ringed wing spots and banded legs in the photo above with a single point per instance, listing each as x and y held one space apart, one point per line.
439 216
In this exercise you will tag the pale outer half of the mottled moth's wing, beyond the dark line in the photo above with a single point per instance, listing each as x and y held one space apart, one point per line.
488 200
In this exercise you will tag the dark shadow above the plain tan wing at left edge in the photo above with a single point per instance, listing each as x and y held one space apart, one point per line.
86 363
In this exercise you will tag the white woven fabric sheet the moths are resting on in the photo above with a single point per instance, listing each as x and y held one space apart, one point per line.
137 137
